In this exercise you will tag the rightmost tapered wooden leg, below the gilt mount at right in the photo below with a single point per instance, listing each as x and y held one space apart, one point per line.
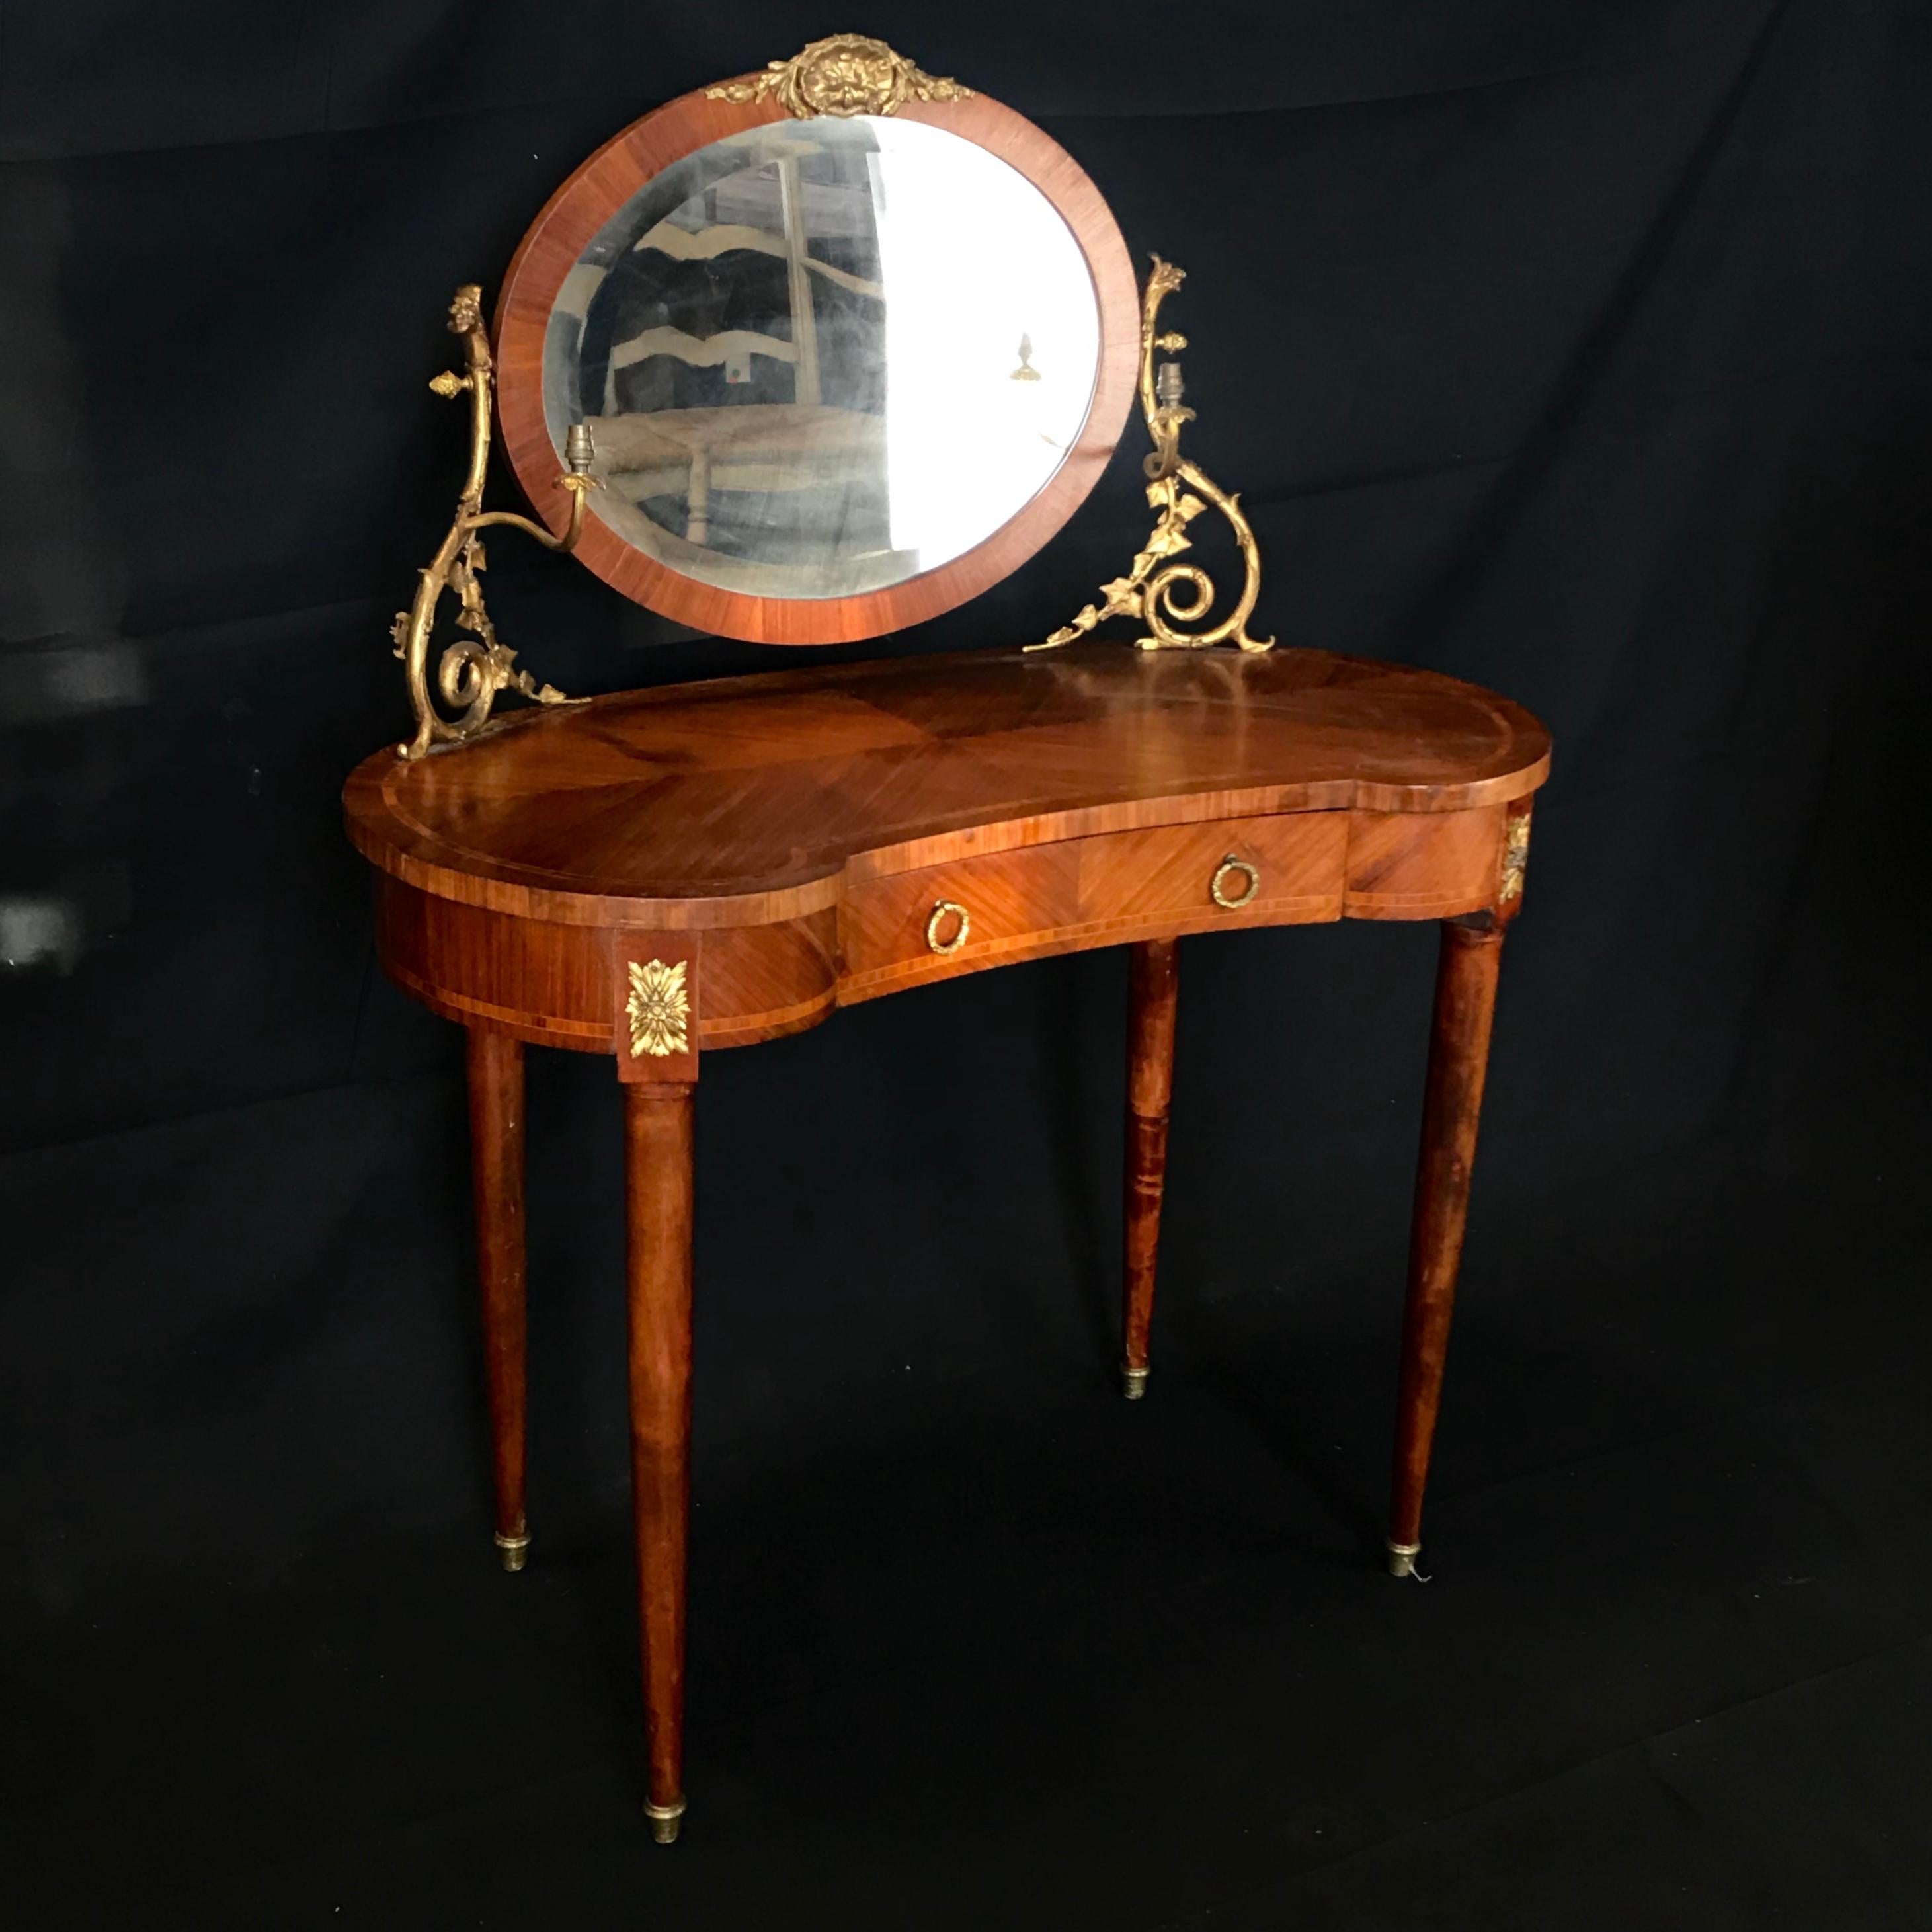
1460 1056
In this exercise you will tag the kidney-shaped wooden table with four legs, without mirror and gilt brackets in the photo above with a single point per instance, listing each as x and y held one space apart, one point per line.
669 872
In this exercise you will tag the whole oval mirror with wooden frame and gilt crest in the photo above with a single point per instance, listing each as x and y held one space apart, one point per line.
851 345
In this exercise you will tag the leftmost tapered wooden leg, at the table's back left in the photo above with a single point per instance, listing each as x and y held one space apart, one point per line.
497 1178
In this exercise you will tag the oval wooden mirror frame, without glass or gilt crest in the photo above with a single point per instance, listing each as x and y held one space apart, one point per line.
575 215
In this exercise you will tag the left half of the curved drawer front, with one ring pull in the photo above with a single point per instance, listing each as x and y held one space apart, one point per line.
894 934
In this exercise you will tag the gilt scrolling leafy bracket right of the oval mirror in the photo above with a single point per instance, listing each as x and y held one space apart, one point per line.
1154 588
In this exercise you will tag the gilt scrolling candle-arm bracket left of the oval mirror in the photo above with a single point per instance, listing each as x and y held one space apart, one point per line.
478 668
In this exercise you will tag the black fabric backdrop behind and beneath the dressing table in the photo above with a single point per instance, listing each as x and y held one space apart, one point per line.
1581 351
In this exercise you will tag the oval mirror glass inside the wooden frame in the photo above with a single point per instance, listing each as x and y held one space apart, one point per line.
824 356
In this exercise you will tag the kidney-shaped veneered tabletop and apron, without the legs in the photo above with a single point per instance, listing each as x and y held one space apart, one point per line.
803 826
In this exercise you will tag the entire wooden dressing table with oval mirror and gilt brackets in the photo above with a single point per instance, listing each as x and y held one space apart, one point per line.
666 874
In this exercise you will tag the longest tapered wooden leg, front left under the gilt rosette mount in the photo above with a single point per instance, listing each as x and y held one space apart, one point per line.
658 1164
